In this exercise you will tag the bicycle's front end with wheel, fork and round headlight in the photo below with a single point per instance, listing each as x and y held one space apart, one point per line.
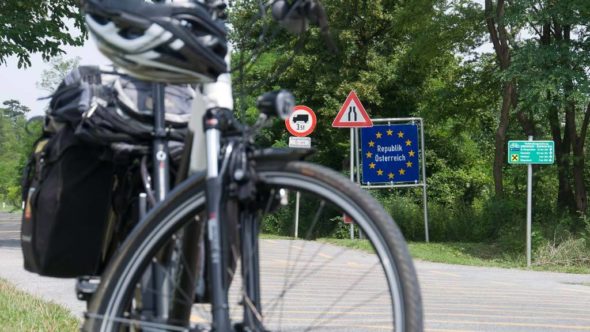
212 222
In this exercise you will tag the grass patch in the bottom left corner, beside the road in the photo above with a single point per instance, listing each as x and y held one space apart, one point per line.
20 311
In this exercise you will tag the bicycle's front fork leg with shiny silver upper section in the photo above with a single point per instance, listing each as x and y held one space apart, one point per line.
219 300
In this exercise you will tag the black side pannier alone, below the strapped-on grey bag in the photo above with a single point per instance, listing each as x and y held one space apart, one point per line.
66 193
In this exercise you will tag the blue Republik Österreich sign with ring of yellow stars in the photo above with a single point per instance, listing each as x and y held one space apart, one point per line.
389 154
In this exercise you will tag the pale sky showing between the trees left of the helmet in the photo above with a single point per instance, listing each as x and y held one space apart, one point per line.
20 84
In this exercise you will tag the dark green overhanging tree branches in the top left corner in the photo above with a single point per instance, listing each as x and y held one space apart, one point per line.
38 26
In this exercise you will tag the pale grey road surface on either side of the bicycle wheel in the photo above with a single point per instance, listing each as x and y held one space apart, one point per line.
456 298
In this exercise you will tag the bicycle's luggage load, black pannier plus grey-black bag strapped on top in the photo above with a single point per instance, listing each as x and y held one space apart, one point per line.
97 123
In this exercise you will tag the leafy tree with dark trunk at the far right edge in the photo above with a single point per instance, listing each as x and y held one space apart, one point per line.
552 72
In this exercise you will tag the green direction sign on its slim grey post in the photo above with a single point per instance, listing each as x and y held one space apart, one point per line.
528 153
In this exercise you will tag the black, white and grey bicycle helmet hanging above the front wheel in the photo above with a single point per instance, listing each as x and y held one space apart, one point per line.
172 42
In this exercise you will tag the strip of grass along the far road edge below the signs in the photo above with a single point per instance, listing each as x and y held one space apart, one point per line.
474 254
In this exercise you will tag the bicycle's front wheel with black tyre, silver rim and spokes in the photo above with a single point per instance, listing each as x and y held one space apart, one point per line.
314 282
